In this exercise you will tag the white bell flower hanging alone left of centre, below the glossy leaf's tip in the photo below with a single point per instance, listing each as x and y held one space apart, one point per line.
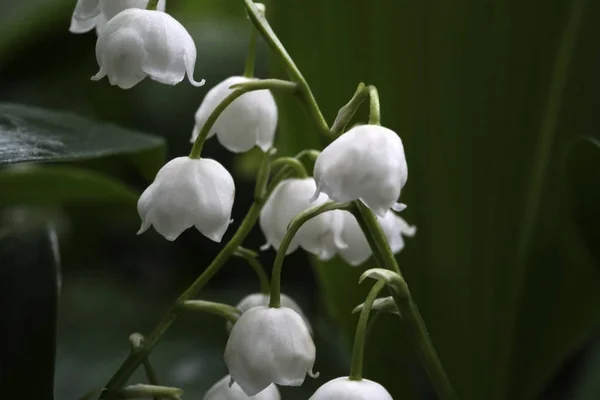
188 192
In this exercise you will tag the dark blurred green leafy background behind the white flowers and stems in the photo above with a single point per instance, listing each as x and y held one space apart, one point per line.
496 102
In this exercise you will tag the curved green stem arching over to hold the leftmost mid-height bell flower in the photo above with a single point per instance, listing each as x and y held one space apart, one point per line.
240 89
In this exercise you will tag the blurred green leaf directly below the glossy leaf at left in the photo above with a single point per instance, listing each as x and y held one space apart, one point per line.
59 185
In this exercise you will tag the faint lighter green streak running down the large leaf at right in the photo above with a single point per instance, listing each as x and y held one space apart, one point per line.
537 180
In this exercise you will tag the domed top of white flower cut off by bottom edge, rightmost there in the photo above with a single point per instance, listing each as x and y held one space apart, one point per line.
345 389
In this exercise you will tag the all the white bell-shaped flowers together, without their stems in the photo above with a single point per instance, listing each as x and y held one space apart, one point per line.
267 345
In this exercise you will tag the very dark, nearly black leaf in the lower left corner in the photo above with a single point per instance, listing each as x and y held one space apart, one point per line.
29 281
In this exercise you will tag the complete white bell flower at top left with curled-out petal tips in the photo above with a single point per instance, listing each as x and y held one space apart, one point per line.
138 43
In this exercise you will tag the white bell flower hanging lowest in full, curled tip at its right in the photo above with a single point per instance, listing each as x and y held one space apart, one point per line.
269 345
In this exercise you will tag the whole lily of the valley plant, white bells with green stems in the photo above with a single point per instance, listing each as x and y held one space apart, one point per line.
347 208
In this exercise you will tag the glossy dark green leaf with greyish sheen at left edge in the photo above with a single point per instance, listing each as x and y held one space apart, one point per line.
30 134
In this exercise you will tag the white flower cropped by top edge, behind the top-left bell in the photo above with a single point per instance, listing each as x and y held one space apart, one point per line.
90 14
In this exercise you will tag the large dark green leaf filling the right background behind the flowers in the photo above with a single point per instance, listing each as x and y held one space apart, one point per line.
487 97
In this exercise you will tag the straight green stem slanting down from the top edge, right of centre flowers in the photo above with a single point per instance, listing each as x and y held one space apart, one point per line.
262 25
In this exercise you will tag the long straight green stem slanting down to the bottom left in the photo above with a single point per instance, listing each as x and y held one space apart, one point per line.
135 359
